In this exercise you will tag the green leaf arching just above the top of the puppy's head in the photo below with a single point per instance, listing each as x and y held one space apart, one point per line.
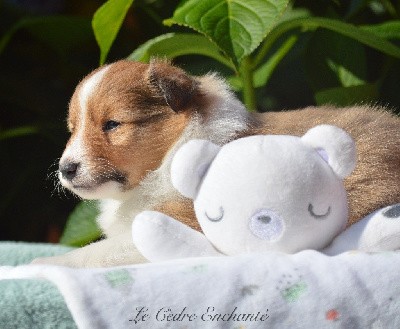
173 45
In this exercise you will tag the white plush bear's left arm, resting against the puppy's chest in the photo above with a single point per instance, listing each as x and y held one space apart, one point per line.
159 237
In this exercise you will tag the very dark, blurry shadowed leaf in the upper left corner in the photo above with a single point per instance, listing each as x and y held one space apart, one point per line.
59 32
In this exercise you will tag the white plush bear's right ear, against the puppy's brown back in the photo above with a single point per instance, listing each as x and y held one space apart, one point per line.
335 146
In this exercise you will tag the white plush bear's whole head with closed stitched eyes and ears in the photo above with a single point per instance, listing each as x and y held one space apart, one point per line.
268 192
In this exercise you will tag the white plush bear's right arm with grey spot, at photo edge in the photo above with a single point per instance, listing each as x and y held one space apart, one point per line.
378 231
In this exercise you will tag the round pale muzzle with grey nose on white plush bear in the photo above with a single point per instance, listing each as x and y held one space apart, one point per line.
266 225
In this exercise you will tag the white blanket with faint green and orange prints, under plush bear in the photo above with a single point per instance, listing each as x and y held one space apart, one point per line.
274 290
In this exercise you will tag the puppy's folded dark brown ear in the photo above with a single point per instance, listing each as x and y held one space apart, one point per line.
172 83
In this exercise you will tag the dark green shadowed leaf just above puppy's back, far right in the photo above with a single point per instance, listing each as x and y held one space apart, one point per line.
345 96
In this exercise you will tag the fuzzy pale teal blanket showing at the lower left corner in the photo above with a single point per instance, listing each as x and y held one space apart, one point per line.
31 303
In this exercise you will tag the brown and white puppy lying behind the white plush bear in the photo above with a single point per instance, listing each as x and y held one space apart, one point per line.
127 119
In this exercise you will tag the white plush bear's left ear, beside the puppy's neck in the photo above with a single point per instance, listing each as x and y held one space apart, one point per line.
190 164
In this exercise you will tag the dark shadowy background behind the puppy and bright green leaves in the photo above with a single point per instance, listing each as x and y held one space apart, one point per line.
47 46
